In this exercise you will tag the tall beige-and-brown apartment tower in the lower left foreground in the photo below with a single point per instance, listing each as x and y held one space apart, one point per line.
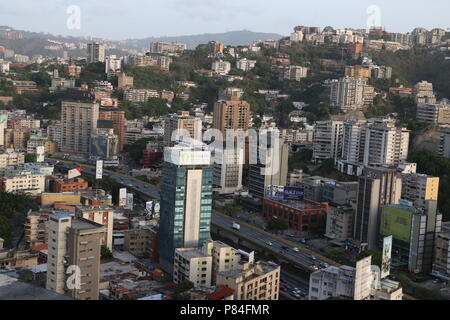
74 242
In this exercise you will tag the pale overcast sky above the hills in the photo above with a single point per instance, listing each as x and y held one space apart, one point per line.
125 19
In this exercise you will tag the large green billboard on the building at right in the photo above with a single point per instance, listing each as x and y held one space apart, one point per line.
396 222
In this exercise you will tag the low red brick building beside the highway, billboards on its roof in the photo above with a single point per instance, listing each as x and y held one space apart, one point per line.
300 215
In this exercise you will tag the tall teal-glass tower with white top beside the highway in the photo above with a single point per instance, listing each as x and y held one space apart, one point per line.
186 199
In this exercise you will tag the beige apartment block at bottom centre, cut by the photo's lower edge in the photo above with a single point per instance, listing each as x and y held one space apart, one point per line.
253 281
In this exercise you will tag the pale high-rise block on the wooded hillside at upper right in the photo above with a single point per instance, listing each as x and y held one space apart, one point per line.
347 94
